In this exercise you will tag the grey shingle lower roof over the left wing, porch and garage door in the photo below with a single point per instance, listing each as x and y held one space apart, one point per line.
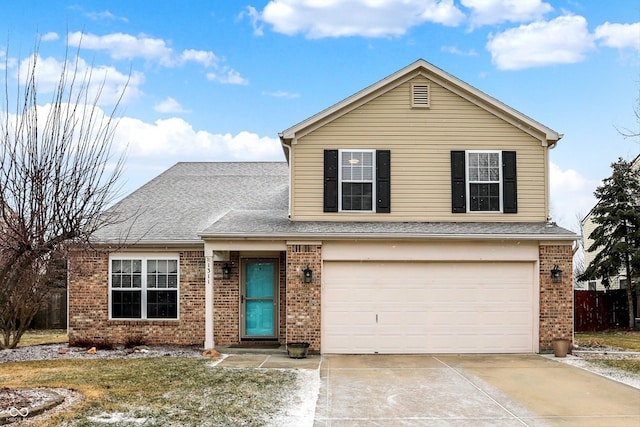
192 201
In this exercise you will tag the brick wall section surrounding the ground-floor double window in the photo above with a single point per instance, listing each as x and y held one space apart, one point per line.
89 310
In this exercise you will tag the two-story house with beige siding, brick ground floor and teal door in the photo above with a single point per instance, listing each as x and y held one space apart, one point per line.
410 217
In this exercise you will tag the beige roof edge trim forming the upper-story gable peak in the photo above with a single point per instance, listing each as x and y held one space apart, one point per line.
547 136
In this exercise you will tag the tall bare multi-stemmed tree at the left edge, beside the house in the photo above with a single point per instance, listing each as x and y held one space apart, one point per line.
58 173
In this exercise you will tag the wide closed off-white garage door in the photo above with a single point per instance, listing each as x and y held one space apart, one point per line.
395 307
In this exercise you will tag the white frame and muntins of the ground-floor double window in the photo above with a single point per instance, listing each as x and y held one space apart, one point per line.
144 257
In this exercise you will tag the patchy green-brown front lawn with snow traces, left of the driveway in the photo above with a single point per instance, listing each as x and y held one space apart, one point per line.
157 391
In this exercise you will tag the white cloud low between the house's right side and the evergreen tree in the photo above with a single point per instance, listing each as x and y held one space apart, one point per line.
571 196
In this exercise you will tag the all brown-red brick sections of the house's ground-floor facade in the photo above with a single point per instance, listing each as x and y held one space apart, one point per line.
299 303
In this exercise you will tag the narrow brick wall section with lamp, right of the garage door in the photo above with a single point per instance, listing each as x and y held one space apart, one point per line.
556 299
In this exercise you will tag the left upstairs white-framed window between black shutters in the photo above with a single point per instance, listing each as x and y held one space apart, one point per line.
357 175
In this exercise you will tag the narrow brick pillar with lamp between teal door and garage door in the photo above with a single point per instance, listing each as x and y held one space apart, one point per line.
303 299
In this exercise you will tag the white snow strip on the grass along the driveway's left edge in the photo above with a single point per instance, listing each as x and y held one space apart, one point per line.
299 410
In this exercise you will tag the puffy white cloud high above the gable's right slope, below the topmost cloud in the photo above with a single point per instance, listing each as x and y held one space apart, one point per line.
564 40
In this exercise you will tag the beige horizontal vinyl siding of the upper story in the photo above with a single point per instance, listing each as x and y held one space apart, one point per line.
420 141
